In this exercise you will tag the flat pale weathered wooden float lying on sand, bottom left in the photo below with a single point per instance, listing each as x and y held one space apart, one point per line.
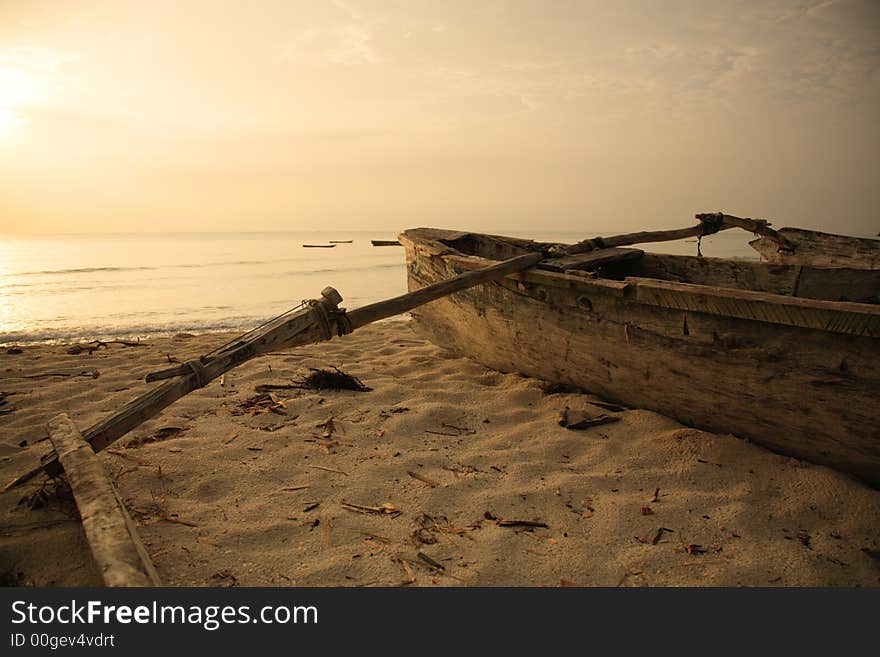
121 557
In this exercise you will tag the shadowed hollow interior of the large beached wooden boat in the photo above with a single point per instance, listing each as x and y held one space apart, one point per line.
830 284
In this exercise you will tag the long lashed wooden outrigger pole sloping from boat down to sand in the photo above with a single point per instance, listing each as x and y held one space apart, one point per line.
321 321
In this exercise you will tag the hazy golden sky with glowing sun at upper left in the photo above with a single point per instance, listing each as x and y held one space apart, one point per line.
506 116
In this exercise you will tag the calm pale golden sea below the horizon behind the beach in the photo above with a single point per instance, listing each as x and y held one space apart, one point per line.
71 287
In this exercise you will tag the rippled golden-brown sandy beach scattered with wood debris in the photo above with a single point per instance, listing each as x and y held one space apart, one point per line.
420 481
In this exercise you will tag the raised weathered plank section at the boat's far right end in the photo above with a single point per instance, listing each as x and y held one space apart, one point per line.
821 249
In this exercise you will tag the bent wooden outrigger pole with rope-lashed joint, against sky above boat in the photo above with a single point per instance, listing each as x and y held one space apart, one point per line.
710 223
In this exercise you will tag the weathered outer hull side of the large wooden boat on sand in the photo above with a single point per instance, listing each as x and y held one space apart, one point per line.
797 390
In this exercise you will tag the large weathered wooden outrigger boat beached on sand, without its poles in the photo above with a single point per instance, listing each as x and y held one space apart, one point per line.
786 354
